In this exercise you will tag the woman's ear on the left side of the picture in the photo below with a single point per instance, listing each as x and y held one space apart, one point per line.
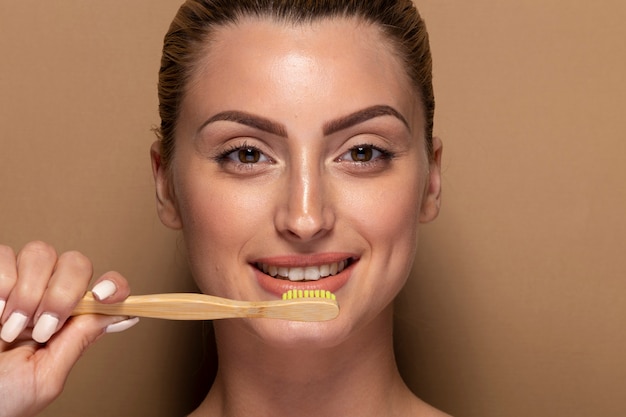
166 202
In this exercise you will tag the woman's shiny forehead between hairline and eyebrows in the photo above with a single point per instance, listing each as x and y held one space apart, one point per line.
337 61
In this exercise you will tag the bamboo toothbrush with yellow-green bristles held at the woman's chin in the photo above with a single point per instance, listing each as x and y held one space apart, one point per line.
296 305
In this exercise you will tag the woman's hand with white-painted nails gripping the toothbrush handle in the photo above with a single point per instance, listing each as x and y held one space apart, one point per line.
39 341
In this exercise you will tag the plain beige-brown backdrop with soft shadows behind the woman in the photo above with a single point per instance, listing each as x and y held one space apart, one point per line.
518 302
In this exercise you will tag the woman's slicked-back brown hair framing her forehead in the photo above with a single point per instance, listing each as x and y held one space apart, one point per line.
196 20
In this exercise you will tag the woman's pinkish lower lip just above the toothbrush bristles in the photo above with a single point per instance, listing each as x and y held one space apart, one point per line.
278 286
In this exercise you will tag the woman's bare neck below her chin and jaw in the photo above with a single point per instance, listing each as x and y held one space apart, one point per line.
358 377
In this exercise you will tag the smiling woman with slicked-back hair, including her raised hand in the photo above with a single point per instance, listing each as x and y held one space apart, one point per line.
295 150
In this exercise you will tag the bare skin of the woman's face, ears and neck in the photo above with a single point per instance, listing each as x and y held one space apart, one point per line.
282 91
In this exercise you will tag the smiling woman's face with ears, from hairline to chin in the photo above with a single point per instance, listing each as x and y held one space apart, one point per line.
300 163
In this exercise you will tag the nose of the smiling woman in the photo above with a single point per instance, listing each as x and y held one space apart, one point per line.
306 210
